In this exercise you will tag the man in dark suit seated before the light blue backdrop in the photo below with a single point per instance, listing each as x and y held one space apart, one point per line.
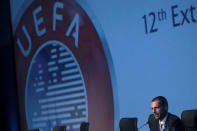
161 119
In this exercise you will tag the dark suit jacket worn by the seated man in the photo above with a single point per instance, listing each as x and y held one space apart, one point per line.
172 121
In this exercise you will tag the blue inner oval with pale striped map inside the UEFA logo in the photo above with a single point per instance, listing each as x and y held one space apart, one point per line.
55 88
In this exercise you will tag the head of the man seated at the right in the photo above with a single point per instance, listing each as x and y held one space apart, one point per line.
159 107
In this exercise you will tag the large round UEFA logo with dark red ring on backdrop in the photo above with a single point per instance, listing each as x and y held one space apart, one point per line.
63 67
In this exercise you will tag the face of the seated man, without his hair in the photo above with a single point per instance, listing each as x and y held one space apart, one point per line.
158 110
